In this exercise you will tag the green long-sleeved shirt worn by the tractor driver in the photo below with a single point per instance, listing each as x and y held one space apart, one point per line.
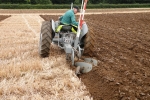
69 18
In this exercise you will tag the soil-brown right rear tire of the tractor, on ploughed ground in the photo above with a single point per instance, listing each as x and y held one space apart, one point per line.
89 44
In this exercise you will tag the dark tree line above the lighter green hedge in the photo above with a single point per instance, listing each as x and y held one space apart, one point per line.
70 1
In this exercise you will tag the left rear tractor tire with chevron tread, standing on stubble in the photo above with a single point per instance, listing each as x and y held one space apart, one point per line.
45 39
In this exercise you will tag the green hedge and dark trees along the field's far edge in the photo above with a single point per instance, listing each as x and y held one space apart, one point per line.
63 4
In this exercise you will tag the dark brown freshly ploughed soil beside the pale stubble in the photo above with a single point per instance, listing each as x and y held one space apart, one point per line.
123 51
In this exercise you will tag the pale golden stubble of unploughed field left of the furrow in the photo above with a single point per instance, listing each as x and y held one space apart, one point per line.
26 76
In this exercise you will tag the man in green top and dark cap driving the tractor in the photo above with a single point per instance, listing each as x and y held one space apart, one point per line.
69 19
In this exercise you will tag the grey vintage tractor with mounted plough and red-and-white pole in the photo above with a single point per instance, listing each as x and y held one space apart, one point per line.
74 45
